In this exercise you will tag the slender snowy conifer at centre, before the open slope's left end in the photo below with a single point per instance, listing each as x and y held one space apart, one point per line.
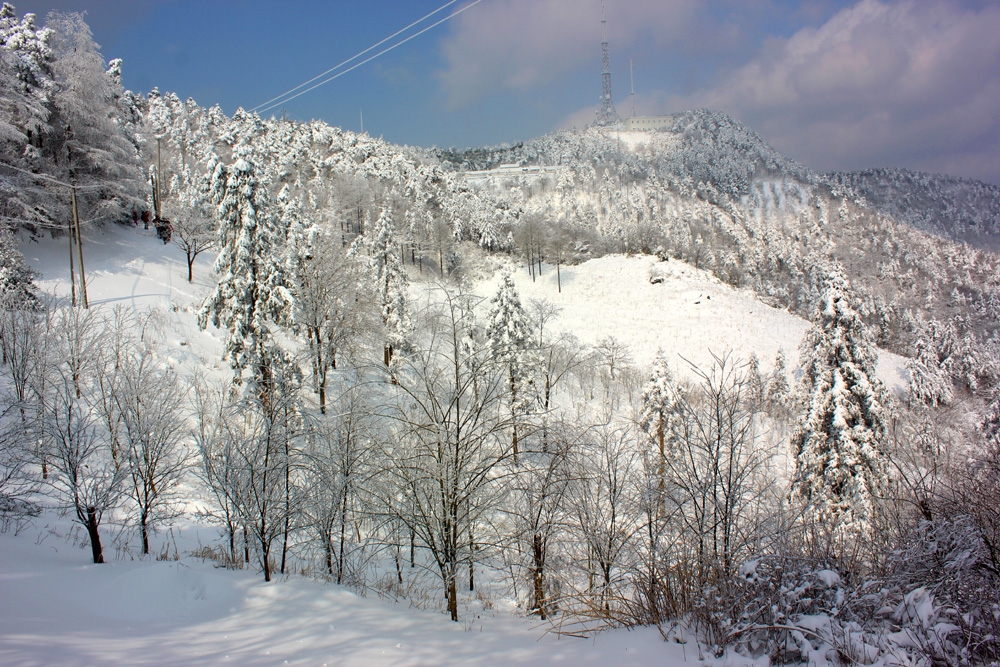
509 336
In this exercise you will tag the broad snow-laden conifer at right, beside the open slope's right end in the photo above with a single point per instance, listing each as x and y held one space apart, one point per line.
839 465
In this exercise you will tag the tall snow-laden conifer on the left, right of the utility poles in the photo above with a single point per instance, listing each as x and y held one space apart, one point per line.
254 290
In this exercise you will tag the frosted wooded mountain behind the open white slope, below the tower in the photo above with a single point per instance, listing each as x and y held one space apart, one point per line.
710 191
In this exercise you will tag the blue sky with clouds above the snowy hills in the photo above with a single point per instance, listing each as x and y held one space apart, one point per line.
834 85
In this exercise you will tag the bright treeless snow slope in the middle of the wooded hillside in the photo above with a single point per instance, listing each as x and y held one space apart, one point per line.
686 312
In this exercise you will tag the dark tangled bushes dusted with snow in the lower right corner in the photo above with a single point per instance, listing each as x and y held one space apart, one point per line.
935 601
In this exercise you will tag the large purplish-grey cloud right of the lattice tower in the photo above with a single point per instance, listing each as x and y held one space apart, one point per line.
912 83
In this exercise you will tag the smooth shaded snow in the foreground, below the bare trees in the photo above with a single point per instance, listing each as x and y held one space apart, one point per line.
57 609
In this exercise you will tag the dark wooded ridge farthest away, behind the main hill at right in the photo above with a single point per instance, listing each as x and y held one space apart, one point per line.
954 208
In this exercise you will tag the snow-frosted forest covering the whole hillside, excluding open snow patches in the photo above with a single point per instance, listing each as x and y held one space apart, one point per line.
384 426
